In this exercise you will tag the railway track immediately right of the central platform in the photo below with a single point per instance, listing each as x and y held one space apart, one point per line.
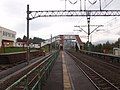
97 79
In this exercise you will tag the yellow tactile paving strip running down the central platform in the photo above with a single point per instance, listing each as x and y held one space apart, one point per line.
66 79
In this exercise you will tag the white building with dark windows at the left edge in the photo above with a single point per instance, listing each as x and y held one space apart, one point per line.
7 37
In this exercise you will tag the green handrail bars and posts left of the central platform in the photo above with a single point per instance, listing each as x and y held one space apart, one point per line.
42 69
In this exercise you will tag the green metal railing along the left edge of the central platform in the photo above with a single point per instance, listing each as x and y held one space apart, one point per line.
40 72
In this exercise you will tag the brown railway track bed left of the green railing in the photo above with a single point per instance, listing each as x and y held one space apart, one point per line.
13 73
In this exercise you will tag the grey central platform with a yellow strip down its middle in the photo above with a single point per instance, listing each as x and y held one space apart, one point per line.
65 75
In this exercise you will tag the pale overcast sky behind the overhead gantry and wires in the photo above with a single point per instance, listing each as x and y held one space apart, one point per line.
13 16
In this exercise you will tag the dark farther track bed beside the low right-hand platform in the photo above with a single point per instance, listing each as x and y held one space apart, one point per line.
106 65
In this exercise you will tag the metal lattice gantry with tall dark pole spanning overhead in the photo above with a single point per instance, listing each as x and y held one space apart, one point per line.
66 13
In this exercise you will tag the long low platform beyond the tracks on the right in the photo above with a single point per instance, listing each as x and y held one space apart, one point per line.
110 57
